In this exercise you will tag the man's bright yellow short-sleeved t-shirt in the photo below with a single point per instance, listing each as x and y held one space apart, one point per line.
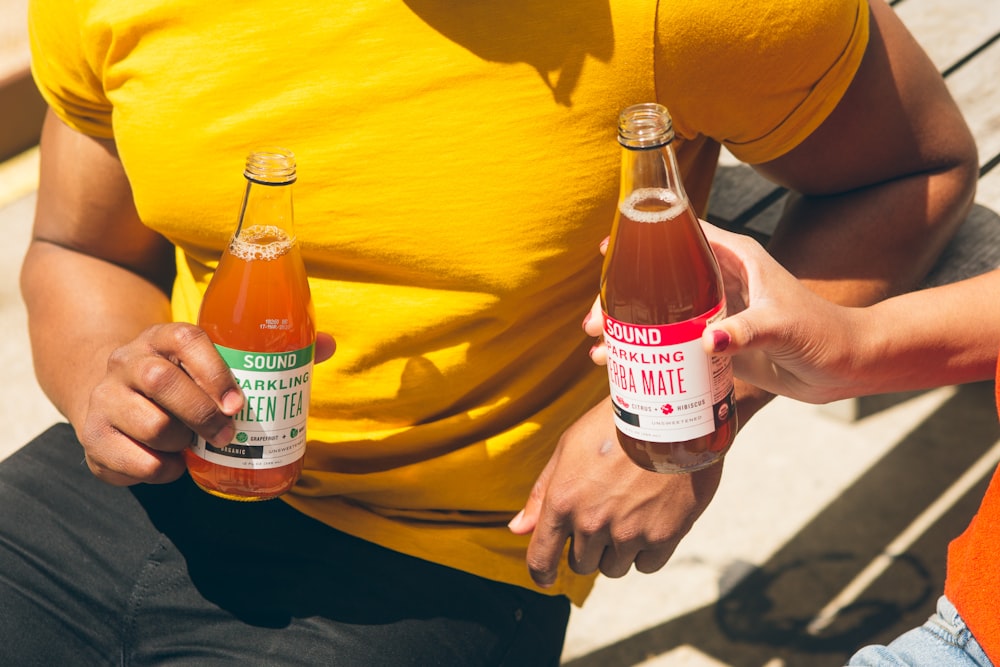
457 169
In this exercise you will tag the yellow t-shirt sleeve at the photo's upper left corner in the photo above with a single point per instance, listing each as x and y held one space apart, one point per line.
66 66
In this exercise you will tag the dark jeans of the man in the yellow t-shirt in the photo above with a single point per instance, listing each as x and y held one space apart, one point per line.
168 575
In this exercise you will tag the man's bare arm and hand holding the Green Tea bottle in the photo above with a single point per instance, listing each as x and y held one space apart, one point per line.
95 283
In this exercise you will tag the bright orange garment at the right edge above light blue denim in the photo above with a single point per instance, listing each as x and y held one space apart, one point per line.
973 580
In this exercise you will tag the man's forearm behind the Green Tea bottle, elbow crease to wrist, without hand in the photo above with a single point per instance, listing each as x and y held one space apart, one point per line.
80 309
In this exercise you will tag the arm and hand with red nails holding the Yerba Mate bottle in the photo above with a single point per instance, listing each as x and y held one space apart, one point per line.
794 343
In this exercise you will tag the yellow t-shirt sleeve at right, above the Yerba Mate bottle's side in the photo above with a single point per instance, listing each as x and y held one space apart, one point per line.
757 76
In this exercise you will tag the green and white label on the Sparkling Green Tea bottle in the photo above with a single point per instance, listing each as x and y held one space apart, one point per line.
271 428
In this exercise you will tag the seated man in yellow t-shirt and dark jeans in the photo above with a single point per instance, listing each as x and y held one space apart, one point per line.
456 166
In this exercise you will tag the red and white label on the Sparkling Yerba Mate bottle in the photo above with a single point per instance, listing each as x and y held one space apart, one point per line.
664 387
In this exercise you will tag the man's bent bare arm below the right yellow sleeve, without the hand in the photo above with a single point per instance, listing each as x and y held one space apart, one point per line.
881 185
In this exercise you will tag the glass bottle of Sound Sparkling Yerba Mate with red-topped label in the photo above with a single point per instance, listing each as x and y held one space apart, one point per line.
661 285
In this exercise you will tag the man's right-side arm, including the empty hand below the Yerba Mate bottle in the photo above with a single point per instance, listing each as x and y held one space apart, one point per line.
883 182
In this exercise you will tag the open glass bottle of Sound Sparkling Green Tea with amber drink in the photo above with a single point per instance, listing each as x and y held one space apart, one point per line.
258 312
